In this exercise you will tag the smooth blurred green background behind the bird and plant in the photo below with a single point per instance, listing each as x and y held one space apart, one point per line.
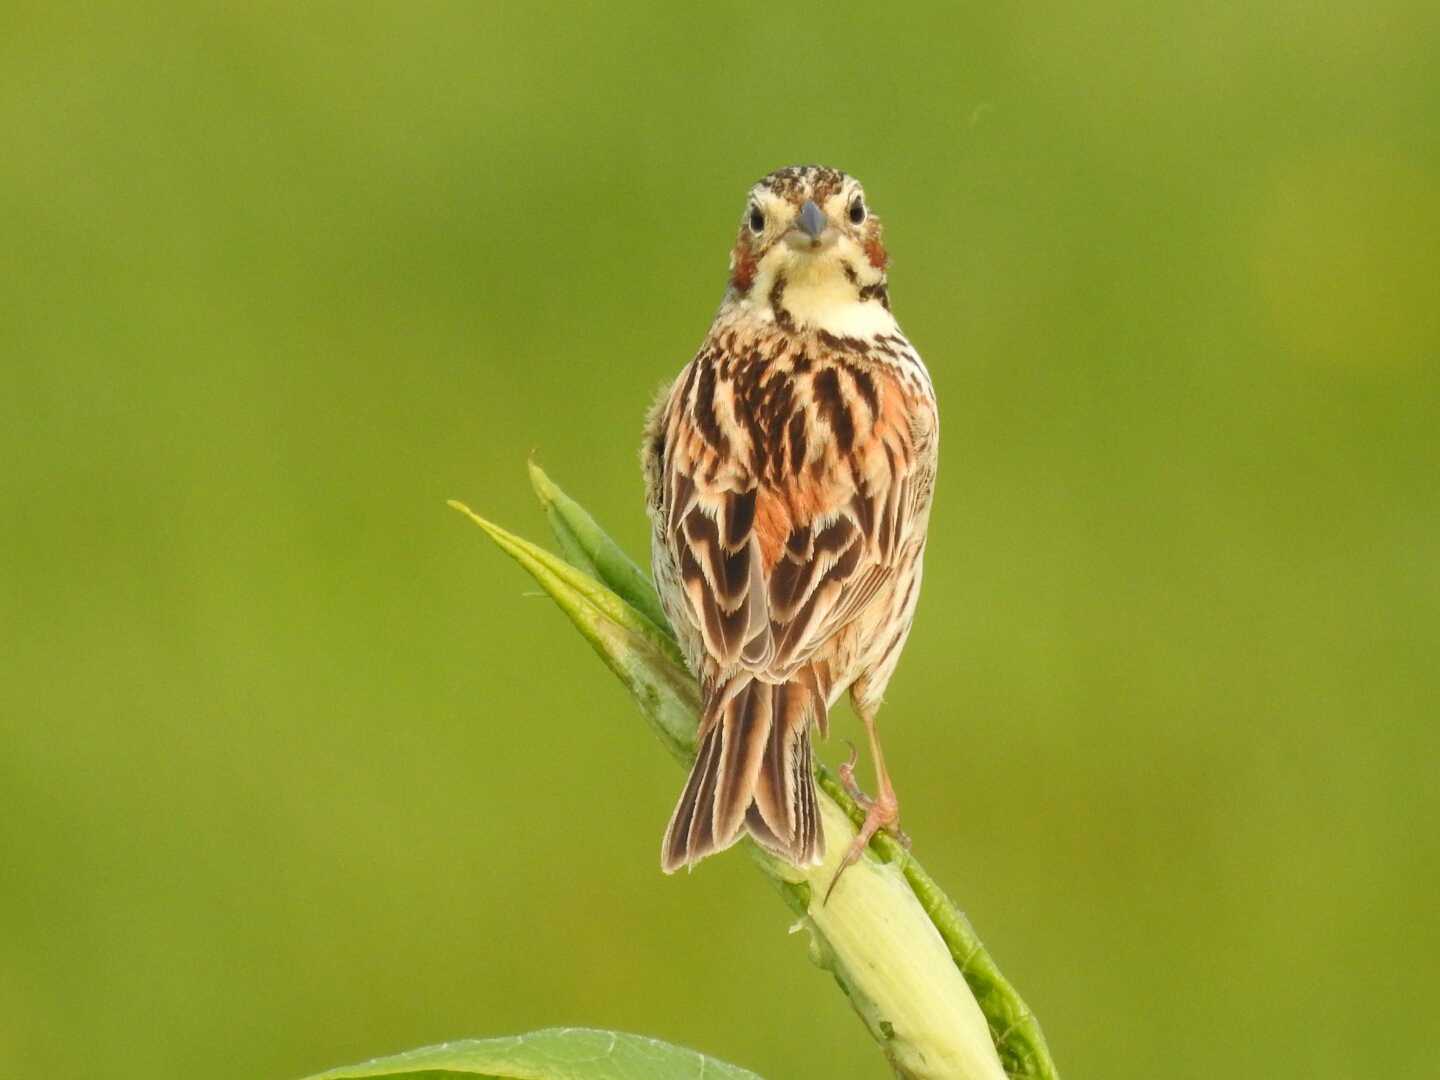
297 771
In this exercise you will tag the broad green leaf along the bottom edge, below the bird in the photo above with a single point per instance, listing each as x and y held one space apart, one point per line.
551 1055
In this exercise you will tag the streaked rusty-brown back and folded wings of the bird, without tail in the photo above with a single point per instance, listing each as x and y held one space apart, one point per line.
780 542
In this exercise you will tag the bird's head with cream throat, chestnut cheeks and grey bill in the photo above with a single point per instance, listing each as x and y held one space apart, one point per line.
809 247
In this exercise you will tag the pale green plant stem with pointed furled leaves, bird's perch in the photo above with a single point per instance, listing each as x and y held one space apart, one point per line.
876 935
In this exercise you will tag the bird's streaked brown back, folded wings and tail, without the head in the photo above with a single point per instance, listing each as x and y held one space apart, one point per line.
783 503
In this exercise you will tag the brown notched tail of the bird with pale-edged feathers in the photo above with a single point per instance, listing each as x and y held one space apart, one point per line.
752 773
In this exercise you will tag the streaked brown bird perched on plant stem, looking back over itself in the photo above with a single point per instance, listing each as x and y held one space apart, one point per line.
790 472
